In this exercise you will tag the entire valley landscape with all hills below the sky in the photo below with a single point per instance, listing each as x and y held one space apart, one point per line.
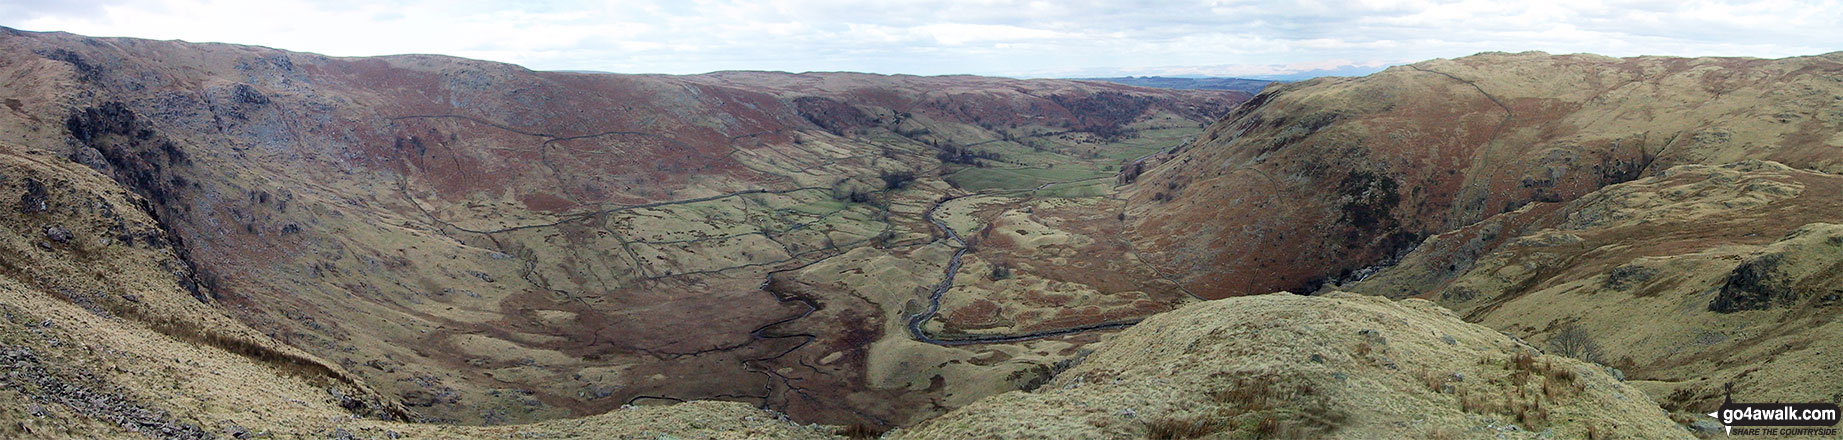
217 240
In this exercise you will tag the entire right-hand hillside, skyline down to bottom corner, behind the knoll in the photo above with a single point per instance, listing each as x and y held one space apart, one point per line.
1673 218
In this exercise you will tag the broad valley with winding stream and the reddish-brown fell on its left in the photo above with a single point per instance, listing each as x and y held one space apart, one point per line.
497 246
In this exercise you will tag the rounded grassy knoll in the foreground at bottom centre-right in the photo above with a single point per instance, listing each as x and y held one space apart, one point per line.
1315 367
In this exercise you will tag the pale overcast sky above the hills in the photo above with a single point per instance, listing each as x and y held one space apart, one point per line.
994 38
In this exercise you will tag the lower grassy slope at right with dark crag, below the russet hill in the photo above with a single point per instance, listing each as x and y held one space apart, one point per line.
1689 281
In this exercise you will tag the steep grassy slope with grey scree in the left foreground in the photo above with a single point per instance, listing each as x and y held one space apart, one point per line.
104 338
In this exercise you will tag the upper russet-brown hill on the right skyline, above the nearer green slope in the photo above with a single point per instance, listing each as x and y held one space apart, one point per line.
1321 179
